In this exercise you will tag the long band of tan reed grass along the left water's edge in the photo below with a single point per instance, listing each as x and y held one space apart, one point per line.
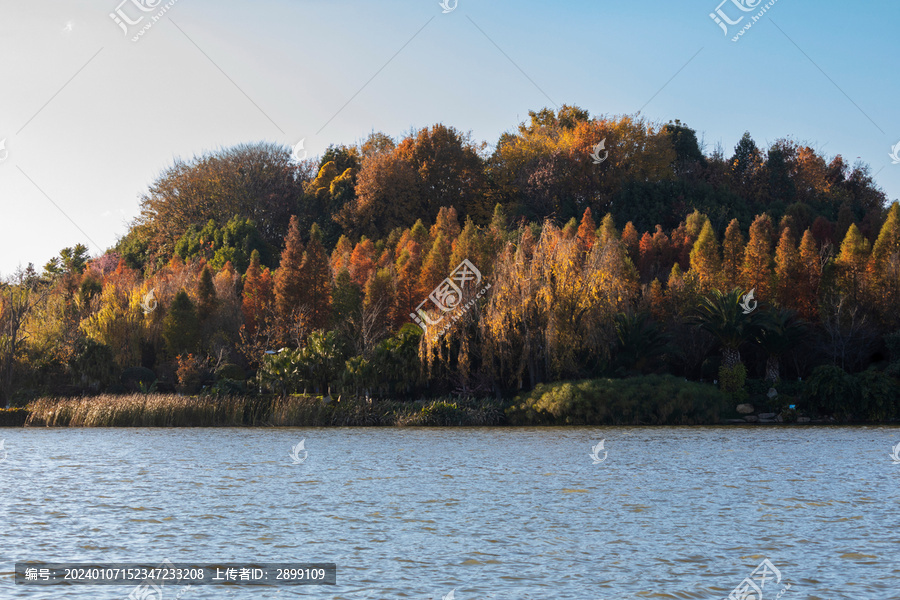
169 410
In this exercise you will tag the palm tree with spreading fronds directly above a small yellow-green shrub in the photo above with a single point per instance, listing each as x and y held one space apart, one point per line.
722 316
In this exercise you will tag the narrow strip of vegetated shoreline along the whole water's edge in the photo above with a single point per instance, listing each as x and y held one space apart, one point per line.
172 411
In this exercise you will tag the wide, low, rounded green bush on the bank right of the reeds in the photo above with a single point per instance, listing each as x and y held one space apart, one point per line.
650 400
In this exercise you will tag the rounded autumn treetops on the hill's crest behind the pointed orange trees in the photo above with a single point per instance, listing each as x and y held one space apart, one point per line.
650 175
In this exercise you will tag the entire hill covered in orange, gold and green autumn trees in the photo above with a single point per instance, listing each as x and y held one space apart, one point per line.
600 247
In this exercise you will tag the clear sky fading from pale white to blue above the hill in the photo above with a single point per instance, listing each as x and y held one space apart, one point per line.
89 118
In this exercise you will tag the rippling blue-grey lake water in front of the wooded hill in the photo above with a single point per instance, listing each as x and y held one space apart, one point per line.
505 513
